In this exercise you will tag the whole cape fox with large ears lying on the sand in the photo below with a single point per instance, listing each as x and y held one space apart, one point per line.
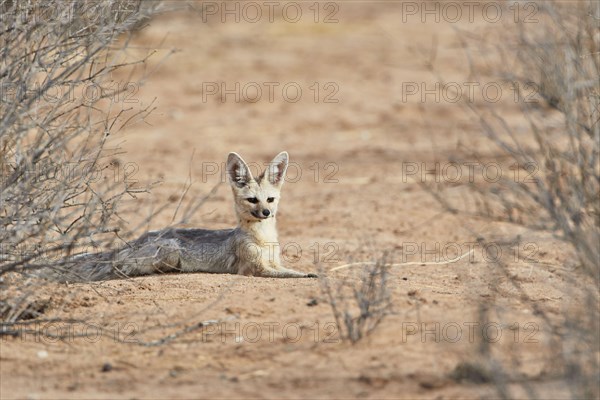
252 248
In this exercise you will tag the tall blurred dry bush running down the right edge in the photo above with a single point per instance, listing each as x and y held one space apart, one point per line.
559 56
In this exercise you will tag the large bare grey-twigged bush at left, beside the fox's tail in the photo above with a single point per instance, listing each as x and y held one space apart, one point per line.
62 187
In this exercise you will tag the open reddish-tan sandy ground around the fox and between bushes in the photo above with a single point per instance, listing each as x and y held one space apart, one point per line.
349 197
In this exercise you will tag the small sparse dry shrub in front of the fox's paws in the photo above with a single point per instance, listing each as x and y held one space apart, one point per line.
359 303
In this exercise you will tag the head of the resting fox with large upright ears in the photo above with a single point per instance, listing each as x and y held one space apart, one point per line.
256 199
